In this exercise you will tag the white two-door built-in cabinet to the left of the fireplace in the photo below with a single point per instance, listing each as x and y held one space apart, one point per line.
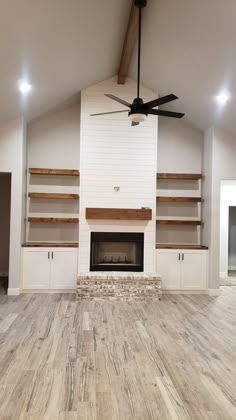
49 268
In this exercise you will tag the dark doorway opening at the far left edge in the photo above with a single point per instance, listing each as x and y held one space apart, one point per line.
5 212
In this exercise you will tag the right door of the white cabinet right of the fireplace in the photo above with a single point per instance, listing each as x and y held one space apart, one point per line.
193 270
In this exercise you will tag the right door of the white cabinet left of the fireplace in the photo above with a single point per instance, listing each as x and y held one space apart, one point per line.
64 268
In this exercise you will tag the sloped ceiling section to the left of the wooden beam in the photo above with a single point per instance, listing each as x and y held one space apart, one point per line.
62 46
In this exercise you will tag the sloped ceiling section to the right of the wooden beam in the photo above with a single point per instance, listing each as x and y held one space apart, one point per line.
189 48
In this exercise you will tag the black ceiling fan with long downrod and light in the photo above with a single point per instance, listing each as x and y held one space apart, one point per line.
138 109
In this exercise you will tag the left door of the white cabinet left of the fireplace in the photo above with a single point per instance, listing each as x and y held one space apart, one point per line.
36 269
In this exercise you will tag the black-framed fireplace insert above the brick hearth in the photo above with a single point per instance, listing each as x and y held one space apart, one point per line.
112 251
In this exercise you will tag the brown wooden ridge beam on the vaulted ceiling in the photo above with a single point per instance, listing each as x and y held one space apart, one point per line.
129 44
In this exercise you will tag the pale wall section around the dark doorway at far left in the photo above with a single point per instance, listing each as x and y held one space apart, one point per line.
12 160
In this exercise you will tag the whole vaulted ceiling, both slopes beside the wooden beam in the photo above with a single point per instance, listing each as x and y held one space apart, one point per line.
63 46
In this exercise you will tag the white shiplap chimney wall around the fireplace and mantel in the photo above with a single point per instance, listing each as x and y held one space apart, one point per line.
115 154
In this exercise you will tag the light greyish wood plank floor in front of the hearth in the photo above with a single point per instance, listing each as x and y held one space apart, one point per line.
175 359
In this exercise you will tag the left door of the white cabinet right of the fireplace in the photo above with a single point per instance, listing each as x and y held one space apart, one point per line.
168 266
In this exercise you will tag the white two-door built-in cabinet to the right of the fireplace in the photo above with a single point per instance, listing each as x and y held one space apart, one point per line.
182 269
